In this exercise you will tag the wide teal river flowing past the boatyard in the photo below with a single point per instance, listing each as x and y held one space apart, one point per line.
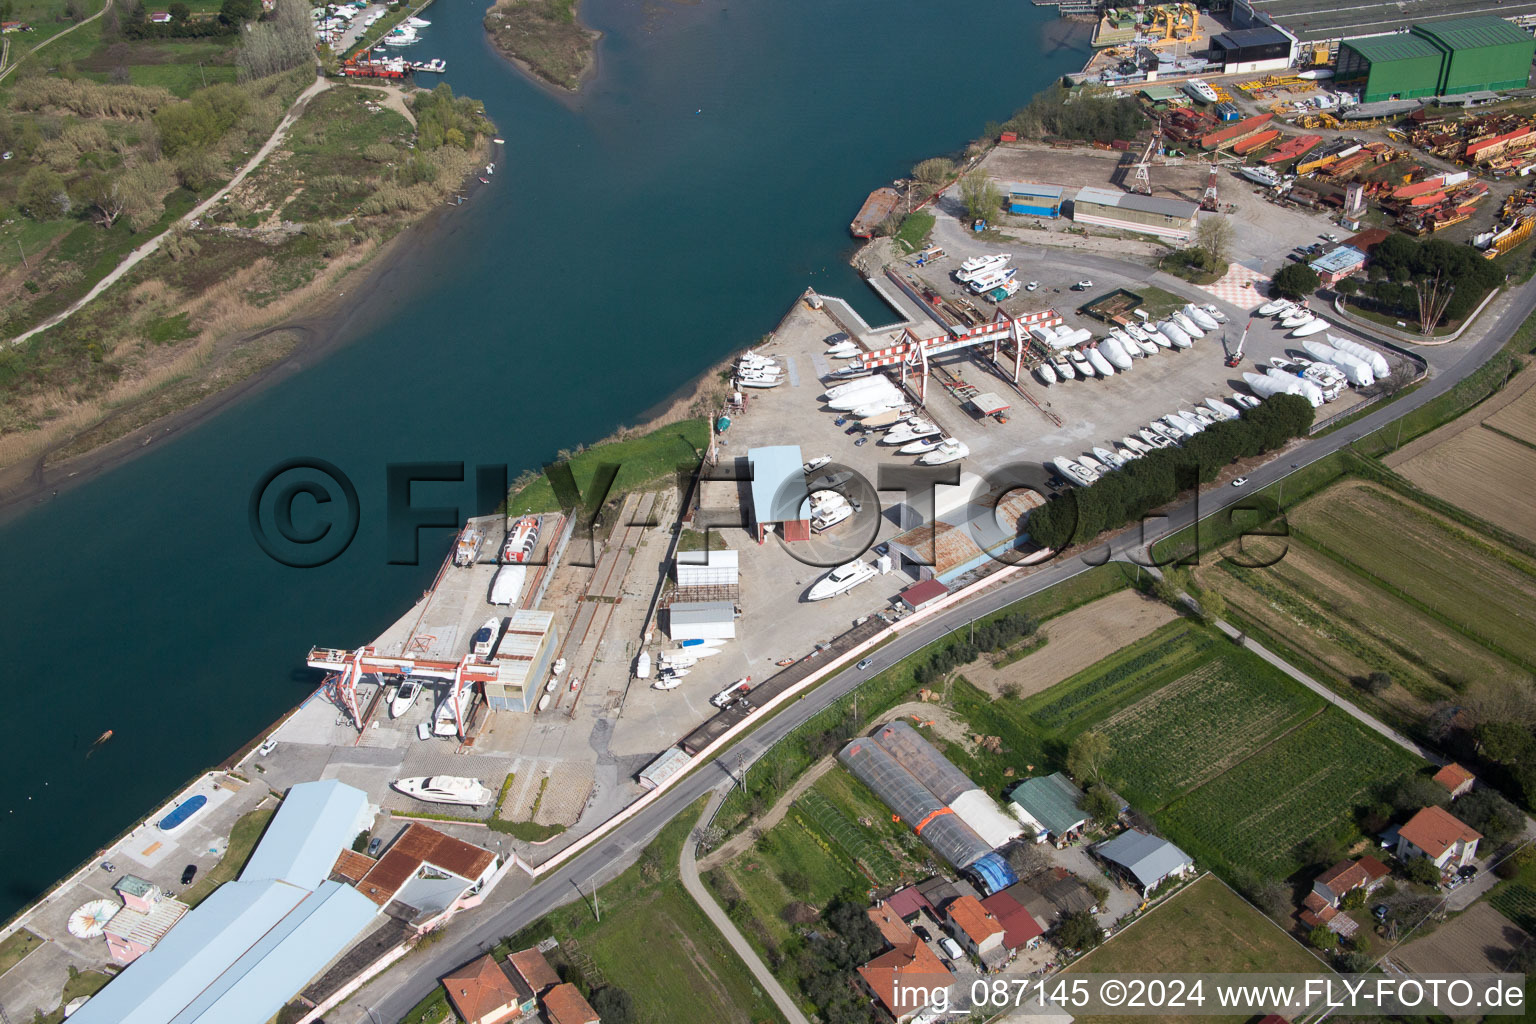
632 237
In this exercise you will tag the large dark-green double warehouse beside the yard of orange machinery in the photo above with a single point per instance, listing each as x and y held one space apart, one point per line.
1438 59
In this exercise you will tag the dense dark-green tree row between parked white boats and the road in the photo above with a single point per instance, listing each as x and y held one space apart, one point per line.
1154 480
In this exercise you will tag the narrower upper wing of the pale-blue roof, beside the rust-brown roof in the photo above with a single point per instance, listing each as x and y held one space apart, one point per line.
316 821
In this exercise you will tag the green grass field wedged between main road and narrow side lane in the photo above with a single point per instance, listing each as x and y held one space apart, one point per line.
657 945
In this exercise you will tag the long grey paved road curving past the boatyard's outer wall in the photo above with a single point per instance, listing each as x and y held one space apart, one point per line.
392 996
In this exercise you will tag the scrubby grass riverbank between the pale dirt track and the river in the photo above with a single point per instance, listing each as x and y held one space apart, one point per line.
268 285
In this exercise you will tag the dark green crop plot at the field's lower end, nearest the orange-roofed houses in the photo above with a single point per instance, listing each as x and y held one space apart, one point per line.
1306 784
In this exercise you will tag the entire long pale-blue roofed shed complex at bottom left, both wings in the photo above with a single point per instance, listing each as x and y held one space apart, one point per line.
243 953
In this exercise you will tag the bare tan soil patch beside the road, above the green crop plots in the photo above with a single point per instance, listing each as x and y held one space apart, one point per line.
1074 642
